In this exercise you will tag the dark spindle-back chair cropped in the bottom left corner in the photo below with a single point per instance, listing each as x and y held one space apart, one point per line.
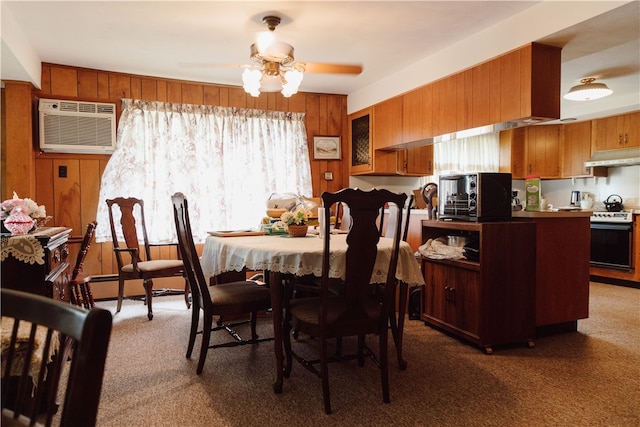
53 359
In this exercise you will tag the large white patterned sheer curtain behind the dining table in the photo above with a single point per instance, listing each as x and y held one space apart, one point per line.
227 161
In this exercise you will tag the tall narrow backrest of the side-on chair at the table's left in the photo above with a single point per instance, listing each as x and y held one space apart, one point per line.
193 268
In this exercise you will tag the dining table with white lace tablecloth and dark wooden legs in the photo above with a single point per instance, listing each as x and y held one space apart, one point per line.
278 255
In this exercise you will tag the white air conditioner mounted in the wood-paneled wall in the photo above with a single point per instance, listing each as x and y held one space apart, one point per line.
77 127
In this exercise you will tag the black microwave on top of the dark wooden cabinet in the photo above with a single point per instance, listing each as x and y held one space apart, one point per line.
477 197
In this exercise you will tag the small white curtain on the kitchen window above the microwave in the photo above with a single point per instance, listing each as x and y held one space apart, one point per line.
473 154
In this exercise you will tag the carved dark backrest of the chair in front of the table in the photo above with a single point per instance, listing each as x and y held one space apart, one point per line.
363 237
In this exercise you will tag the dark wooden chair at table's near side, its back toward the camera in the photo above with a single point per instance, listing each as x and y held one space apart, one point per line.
356 311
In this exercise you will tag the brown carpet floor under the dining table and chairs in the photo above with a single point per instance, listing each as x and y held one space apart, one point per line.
587 378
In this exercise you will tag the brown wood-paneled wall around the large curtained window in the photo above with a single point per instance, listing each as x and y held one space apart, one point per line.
73 200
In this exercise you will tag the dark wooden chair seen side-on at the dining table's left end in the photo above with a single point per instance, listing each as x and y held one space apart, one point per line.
231 299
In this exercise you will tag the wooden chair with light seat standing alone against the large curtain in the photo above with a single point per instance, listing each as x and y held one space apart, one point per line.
134 261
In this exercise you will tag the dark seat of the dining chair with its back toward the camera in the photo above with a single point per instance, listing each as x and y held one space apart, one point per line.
307 309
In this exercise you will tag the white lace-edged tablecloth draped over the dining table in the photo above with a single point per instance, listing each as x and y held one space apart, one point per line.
300 256
